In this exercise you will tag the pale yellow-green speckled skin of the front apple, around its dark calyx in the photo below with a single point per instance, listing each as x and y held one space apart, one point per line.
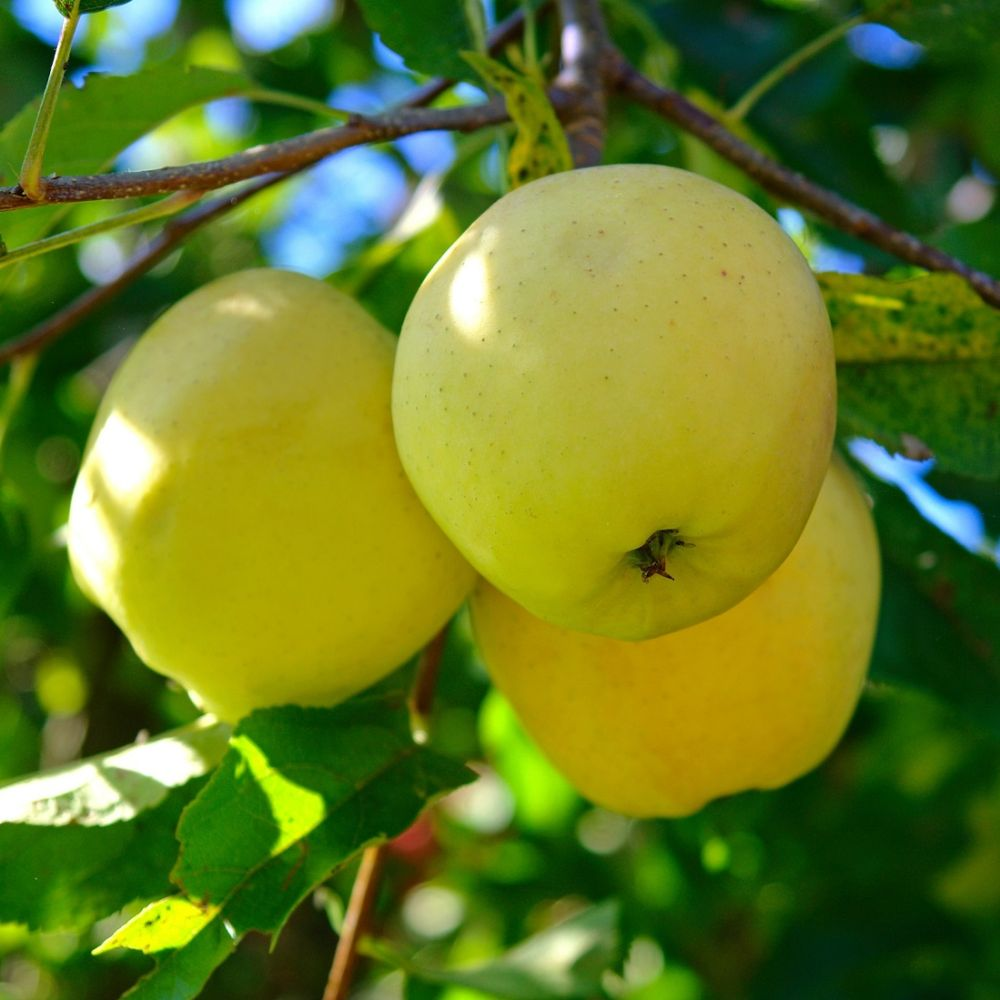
606 354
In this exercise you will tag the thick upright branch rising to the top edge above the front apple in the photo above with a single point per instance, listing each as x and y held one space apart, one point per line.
583 42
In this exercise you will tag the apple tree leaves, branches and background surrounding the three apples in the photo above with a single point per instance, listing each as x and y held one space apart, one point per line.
413 841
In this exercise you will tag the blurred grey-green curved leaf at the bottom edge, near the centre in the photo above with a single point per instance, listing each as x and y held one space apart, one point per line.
567 961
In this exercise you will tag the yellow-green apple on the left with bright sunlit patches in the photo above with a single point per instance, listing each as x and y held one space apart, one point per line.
241 511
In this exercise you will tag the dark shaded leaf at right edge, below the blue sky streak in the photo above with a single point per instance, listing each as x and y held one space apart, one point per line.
939 630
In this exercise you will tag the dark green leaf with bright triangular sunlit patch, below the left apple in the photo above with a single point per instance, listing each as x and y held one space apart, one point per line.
300 791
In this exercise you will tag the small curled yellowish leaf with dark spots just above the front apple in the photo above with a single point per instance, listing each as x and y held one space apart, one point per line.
540 146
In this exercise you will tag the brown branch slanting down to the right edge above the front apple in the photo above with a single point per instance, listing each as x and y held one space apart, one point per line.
779 180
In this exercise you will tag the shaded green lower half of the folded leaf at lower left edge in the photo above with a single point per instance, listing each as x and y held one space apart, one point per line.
66 877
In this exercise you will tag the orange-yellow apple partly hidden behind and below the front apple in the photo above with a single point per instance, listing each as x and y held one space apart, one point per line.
750 699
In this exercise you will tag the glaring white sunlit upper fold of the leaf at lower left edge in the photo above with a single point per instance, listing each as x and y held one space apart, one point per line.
115 787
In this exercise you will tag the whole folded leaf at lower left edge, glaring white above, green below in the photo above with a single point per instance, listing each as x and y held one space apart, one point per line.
82 841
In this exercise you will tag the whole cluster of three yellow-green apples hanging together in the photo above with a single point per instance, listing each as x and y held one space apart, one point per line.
614 402
